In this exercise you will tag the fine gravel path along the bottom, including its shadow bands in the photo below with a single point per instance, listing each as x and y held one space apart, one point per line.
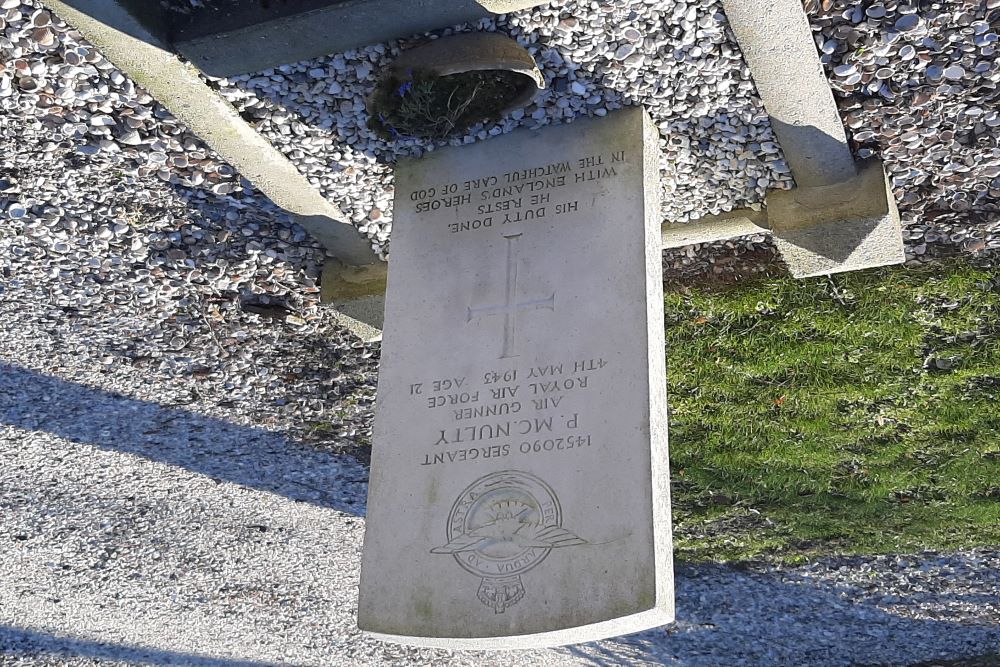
139 533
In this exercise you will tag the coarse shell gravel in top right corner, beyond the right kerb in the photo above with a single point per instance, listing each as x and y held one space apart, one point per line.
917 86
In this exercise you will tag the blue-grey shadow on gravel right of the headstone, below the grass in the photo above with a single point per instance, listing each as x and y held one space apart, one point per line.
729 617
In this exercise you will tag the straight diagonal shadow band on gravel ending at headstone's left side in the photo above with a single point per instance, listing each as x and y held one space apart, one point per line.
218 449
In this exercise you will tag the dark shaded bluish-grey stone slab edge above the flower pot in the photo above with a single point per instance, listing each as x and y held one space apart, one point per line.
308 35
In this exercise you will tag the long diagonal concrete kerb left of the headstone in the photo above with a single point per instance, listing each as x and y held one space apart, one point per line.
175 84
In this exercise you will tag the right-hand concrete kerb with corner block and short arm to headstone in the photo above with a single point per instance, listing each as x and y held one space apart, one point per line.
839 217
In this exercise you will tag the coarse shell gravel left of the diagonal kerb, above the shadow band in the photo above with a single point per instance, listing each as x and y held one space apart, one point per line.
132 256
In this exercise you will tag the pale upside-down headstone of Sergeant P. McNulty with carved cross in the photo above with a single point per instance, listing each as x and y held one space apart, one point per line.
519 487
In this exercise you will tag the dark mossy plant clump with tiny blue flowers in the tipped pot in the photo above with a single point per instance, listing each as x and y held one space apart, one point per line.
425 105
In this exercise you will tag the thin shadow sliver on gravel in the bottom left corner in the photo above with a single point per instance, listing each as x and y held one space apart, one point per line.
23 643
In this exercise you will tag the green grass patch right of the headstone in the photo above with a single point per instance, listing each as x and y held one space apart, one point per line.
852 414
